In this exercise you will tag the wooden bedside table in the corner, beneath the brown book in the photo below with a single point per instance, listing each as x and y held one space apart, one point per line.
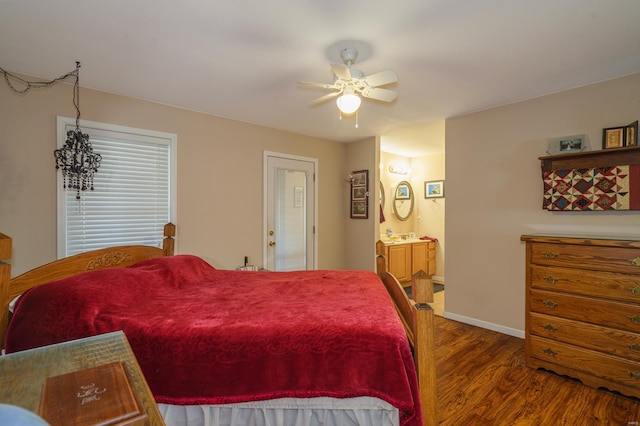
23 373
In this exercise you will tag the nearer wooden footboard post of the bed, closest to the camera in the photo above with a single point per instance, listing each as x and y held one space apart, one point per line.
422 287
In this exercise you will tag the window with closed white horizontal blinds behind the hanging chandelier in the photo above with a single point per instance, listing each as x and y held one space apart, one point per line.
134 194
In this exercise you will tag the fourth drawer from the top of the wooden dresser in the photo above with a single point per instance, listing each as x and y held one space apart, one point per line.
619 343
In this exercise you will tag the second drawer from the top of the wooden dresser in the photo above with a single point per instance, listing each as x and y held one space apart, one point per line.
587 282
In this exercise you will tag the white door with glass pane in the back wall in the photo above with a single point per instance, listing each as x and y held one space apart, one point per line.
289 241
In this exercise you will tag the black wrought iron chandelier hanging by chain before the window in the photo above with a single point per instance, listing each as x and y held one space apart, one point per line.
76 158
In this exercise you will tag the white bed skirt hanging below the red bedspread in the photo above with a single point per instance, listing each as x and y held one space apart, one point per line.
362 411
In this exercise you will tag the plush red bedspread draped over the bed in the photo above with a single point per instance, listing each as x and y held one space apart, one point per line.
207 336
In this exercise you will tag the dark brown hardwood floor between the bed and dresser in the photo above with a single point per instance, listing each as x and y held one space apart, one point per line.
482 380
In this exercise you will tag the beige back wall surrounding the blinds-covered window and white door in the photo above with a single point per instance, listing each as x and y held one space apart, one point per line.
219 176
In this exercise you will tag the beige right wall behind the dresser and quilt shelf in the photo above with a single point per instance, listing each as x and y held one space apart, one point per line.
494 194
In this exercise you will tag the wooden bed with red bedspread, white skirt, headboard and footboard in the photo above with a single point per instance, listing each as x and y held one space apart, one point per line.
231 363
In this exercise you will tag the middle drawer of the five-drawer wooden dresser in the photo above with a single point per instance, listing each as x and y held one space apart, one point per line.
602 312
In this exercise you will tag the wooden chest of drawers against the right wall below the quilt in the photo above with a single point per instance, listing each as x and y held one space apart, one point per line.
583 309
